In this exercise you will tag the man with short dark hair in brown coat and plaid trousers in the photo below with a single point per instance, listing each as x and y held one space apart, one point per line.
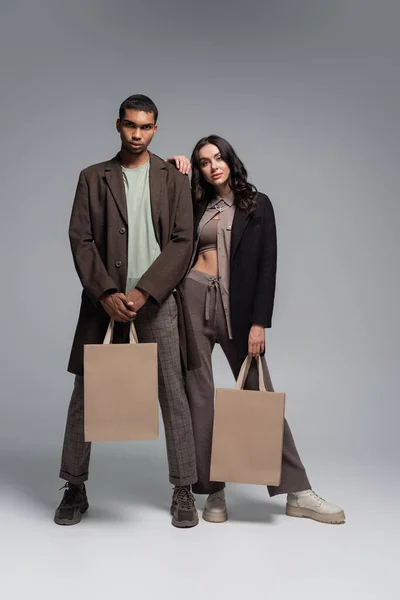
131 234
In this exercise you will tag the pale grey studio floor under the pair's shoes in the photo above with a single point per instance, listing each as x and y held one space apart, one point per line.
126 545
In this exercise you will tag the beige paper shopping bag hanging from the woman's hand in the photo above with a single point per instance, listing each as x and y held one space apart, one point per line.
248 432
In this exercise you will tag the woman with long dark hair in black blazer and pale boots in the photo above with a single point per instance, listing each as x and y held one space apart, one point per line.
229 294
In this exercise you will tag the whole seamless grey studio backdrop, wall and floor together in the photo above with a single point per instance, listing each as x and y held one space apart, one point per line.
308 93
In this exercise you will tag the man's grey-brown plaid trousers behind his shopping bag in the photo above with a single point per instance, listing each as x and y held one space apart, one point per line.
158 325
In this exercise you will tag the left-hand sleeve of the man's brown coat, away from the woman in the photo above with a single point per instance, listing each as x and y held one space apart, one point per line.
88 262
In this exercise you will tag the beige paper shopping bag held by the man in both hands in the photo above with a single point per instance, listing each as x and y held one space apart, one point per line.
120 390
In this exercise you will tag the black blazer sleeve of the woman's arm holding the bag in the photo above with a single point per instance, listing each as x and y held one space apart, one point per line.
263 303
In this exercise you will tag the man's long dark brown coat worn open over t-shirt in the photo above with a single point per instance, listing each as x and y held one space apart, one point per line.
98 234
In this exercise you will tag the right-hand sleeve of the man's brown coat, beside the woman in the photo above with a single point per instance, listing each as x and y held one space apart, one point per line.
170 267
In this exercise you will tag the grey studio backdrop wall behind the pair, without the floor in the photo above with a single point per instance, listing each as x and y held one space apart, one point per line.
307 92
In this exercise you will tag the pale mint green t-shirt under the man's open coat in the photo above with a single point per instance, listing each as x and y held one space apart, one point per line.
143 247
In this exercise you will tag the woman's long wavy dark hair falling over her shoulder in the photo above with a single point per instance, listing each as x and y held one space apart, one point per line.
244 193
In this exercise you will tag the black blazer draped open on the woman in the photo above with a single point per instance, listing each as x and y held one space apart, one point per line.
252 269
